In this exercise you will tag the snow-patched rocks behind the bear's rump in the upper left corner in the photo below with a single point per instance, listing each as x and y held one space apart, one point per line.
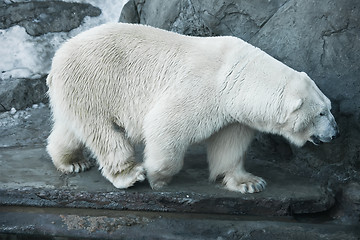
31 32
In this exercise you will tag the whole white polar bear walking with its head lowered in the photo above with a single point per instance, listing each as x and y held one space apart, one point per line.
120 84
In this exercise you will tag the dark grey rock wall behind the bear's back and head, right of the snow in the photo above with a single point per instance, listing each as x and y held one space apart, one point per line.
320 38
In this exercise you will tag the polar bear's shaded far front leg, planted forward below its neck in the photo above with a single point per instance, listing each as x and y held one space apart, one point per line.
226 155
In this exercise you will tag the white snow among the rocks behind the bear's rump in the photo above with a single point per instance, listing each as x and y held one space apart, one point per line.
24 56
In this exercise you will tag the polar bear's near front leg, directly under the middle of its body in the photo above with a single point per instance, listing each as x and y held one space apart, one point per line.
166 140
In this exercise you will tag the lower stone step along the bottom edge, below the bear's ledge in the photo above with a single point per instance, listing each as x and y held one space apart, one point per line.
54 223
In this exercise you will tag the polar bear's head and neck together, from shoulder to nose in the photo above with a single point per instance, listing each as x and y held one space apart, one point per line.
266 95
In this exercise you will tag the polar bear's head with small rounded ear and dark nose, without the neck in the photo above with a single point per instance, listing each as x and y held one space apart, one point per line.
306 113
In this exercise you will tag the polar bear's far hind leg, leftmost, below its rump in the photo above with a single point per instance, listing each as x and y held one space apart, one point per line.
65 150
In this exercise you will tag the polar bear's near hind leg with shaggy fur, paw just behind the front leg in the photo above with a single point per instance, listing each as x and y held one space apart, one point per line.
115 155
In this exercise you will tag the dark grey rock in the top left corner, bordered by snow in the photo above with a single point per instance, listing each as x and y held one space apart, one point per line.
39 18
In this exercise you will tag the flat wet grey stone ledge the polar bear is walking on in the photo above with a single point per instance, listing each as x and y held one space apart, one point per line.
29 178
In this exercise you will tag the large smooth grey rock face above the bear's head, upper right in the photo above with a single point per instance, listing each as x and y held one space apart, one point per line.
321 39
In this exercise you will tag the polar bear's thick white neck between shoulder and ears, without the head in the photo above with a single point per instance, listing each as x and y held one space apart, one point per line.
254 89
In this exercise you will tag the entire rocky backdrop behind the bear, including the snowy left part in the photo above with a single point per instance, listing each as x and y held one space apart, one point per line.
321 38
